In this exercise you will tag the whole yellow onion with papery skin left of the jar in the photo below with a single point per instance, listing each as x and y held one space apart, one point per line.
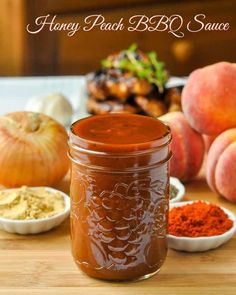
33 150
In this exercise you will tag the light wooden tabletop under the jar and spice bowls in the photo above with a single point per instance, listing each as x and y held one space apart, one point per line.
42 264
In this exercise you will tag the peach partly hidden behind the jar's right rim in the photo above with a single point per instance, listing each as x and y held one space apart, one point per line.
187 147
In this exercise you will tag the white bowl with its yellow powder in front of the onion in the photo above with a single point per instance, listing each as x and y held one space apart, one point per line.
32 210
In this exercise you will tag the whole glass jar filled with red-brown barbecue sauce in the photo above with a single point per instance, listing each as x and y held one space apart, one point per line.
119 195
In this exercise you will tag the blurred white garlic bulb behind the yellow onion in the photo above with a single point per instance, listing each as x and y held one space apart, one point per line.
54 105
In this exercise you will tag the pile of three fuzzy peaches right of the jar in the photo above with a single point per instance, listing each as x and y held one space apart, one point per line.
208 122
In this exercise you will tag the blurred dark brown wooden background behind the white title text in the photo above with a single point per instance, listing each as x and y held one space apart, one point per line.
54 53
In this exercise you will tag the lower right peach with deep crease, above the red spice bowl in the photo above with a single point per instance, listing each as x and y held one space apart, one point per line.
221 165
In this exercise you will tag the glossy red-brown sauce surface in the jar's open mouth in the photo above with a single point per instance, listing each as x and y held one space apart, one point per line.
120 129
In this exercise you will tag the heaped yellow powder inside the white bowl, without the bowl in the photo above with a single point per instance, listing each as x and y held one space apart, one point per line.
27 203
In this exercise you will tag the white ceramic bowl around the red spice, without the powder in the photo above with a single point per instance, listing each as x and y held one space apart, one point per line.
200 244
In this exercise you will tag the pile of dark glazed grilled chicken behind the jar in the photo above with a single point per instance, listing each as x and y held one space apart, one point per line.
115 88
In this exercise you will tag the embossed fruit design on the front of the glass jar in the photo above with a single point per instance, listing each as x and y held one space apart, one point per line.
124 223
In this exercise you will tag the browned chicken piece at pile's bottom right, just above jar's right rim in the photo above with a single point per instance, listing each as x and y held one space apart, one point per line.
151 106
